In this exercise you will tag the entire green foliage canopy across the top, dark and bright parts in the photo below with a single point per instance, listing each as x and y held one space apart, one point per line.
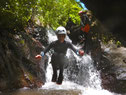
16 13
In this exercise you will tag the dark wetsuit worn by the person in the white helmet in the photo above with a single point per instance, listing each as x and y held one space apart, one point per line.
59 59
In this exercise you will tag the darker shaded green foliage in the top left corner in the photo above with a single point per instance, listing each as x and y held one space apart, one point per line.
15 13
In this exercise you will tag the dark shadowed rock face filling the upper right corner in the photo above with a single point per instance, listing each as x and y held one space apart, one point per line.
111 14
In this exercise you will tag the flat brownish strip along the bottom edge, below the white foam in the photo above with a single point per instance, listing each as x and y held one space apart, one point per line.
44 92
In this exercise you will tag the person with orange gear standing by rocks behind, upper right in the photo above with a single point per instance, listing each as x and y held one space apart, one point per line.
85 28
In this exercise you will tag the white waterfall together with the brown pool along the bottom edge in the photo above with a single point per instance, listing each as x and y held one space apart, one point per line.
80 75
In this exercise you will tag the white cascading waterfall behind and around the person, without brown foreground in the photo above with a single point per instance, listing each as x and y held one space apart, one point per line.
80 73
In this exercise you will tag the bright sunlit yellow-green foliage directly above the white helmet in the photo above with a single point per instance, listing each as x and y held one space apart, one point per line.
57 12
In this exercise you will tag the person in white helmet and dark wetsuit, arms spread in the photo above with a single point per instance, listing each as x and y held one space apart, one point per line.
59 59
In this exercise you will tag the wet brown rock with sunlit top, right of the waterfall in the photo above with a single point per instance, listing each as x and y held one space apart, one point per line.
114 74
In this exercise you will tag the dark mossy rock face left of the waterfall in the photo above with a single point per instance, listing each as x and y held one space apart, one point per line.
18 66
